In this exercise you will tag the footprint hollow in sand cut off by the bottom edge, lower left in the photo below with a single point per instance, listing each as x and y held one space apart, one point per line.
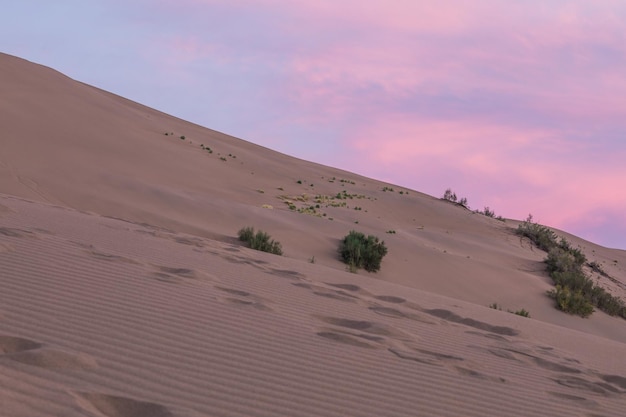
115 406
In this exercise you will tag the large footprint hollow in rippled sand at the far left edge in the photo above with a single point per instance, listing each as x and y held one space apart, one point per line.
33 353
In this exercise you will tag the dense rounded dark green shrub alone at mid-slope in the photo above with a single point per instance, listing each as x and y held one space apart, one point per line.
359 251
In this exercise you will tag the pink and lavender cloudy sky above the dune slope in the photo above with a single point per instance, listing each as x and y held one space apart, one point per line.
517 105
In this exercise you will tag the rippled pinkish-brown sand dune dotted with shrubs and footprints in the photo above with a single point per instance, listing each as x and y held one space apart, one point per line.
125 292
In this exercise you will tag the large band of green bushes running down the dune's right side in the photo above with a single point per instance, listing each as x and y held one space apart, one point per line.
574 291
